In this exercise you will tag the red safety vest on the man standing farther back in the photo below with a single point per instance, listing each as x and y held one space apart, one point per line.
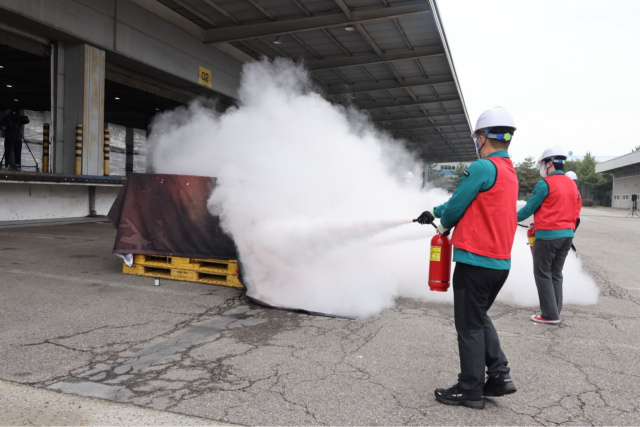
560 209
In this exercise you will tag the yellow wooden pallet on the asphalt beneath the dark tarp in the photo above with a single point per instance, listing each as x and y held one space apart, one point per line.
200 270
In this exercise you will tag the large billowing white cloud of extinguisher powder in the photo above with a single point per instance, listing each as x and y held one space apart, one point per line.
318 202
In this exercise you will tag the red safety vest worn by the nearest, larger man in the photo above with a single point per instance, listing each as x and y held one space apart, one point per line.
488 226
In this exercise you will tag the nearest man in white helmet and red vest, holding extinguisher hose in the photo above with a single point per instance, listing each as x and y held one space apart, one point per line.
481 210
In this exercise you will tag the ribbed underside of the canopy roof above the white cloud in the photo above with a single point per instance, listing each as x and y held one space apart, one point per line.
388 57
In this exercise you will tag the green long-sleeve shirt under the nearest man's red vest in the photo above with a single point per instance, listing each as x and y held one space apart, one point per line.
479 176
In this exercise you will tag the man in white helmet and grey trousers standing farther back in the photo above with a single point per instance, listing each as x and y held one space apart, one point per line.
555 206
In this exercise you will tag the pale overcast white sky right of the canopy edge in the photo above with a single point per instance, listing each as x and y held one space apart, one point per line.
567 70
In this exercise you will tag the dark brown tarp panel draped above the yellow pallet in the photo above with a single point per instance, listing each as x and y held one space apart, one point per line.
167 215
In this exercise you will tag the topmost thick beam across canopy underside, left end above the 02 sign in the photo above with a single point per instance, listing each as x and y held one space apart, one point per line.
314 22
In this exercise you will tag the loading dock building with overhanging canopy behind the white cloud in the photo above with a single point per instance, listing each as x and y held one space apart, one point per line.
115 64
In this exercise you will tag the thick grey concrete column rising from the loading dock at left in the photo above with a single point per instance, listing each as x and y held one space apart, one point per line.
83 72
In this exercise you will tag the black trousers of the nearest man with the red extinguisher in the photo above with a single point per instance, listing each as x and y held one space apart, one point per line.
474 291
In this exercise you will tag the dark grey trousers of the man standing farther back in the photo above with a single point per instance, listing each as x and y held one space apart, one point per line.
548 261
